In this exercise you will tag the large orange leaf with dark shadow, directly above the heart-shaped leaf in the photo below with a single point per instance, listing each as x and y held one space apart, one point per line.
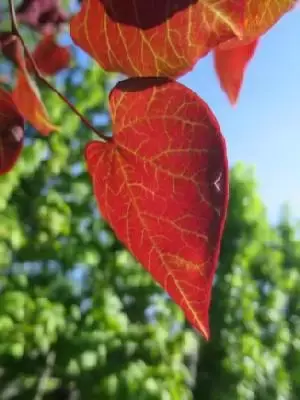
154 38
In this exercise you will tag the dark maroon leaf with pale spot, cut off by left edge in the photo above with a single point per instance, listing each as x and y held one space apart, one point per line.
11 132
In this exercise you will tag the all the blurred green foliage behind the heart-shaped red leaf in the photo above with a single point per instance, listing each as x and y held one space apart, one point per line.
80 319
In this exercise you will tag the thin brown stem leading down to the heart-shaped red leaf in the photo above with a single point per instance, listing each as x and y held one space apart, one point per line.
39 75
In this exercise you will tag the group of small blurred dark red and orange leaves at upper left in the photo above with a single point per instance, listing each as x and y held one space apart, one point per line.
24 102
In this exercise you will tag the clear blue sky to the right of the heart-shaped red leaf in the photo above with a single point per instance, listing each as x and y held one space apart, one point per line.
264 128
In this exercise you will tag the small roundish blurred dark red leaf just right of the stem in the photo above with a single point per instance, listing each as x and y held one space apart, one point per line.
50 57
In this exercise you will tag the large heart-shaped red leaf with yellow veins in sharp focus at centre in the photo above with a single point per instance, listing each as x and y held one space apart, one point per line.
162 184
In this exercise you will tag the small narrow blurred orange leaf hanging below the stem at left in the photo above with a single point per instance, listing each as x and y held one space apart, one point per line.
27 99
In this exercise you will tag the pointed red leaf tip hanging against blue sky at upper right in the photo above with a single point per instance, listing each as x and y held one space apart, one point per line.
230 65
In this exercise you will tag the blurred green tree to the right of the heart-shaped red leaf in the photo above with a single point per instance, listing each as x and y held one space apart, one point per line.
254 328
